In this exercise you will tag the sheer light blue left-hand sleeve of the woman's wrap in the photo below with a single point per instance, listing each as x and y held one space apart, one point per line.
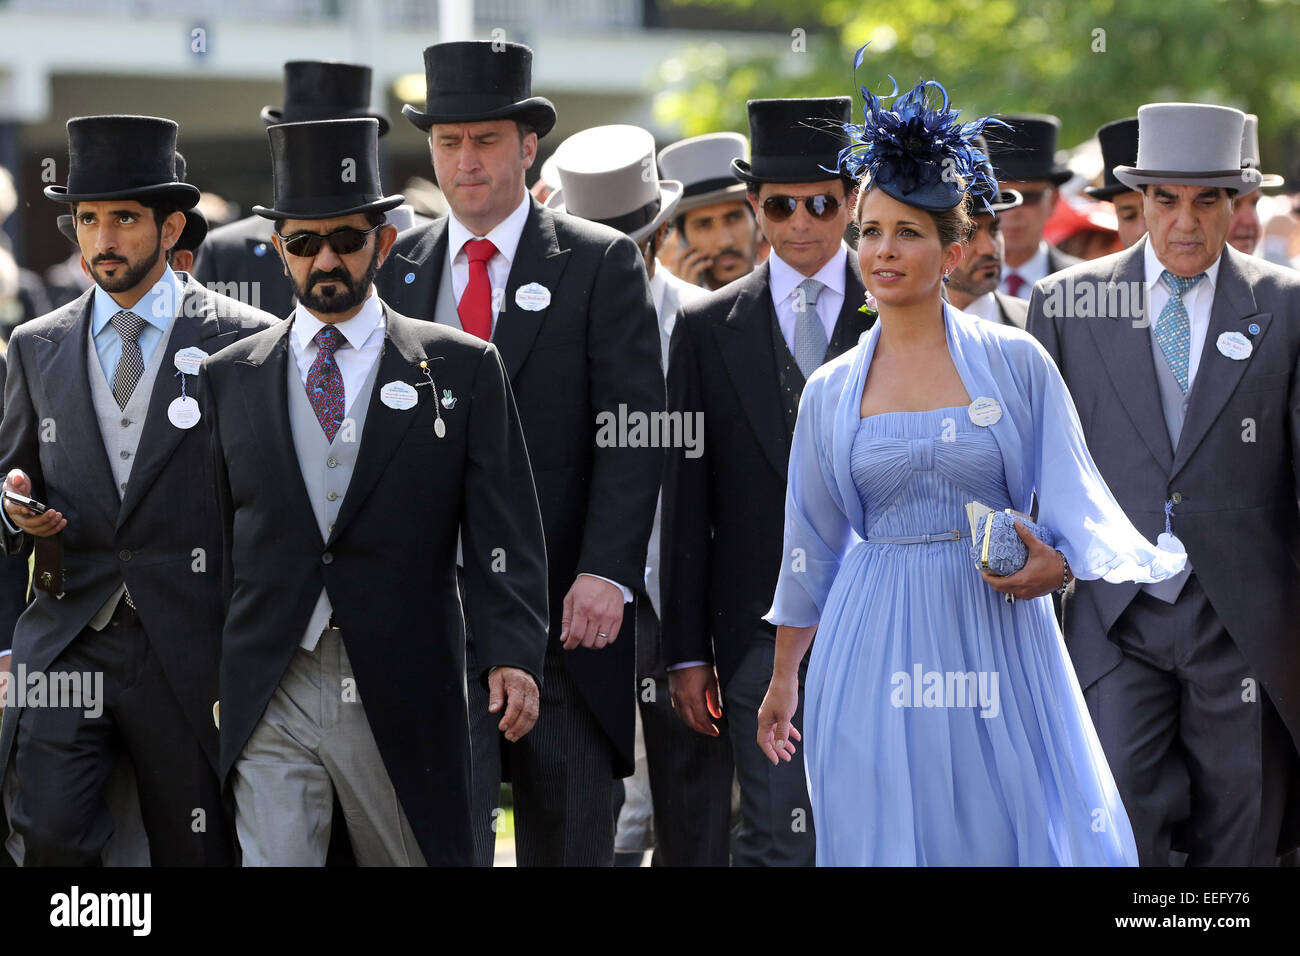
817 531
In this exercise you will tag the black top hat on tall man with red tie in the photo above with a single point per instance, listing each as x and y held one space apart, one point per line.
471 81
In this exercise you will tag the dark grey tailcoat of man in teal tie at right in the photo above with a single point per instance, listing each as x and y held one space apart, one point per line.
1233 477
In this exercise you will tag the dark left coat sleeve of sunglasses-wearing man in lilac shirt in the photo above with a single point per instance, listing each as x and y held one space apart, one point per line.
687 530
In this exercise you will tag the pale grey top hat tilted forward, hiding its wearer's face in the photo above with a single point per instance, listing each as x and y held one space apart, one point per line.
609 175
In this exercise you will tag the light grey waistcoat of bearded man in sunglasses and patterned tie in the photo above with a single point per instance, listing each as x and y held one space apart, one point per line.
327 466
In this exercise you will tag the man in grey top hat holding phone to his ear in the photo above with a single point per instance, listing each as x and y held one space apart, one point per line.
716 240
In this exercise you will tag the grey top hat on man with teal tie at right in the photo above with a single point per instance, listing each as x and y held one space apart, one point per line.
1190 145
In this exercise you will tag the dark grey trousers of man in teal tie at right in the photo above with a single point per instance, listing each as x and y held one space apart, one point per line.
1199 754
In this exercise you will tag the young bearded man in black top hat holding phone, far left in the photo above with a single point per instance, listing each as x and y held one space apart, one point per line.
101 425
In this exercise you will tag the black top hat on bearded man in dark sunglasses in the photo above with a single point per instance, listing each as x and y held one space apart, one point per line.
326 170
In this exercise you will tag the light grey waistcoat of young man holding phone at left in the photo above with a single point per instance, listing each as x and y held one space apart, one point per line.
122 429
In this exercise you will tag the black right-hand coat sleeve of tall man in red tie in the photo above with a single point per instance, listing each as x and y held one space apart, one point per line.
625 371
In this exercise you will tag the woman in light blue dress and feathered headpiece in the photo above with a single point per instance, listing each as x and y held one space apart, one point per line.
943 720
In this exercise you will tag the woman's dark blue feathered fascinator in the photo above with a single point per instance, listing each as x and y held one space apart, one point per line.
917 153
